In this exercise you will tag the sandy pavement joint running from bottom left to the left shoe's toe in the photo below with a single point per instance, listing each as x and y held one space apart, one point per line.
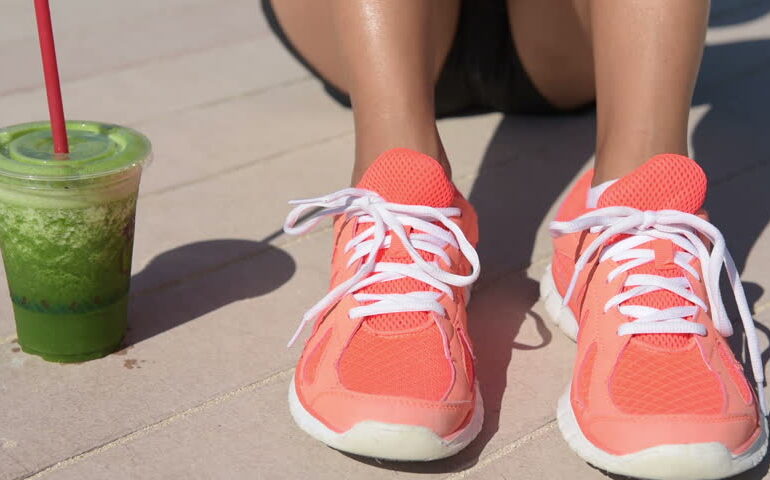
276 377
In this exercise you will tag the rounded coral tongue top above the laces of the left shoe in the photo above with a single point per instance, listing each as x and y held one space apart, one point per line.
404 176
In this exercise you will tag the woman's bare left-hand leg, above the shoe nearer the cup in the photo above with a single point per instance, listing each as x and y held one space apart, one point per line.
387 55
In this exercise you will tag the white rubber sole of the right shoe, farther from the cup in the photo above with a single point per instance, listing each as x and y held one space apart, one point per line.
695 461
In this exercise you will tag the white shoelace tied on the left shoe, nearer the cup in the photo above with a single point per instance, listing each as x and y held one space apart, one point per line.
388 219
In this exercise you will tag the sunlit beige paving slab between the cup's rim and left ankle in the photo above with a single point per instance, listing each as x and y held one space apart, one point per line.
193 145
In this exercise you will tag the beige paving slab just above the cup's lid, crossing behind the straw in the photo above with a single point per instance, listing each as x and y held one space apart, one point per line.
167 85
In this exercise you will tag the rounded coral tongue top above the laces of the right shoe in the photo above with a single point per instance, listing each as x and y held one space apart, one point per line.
664 182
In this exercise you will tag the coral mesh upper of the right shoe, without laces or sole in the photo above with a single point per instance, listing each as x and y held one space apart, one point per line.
691 379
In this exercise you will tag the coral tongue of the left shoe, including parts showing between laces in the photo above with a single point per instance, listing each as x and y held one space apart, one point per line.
412 178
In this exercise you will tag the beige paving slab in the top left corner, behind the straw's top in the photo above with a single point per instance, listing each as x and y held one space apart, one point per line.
119 39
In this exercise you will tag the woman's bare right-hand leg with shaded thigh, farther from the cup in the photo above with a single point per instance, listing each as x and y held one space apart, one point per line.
642 55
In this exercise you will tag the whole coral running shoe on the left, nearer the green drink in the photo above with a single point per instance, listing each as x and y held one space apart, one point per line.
388 371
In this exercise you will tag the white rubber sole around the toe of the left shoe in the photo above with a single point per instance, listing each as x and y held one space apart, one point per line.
387 440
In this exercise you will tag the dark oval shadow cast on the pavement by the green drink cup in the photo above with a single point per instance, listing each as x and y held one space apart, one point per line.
189 281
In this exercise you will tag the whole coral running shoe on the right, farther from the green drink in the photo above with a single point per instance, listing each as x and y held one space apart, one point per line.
656 391
